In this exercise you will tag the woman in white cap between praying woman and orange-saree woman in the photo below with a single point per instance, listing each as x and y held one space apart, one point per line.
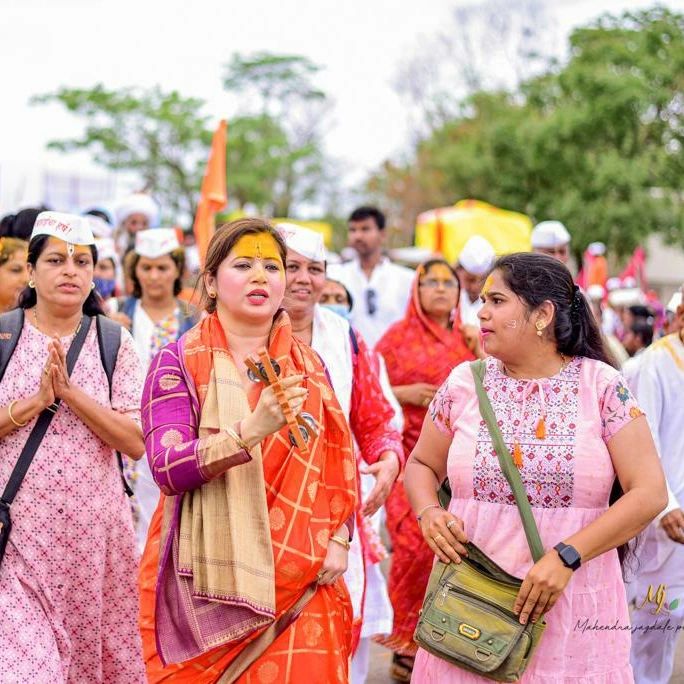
156 318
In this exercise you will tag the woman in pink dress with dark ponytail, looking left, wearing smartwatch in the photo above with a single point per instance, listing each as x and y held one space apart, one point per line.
571 426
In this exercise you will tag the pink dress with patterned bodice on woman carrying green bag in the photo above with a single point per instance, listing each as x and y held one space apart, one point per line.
568 477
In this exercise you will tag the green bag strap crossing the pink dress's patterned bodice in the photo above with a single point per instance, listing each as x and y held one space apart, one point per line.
509 469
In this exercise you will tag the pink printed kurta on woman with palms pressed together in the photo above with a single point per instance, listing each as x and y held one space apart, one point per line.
68 593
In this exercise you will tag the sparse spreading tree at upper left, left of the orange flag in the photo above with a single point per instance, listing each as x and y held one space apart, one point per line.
162 136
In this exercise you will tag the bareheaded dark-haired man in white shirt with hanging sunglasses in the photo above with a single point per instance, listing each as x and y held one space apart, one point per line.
380 289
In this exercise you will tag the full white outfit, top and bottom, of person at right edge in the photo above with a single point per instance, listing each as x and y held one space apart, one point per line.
660 392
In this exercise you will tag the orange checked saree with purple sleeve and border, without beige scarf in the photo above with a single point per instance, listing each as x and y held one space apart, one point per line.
308 498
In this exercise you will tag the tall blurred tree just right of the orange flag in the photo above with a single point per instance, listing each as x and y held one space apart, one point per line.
275 150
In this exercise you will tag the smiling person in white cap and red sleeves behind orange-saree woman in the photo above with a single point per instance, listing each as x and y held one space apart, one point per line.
359 392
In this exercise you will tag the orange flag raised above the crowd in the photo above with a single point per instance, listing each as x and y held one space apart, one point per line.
214 195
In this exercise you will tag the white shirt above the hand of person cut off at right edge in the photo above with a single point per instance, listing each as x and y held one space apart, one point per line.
660 390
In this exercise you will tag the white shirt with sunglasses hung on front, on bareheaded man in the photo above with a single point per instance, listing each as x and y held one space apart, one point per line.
386 292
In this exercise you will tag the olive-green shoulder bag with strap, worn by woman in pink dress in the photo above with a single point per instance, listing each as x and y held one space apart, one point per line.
467 616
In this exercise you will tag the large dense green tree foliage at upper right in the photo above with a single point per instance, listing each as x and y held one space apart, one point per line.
596 144
